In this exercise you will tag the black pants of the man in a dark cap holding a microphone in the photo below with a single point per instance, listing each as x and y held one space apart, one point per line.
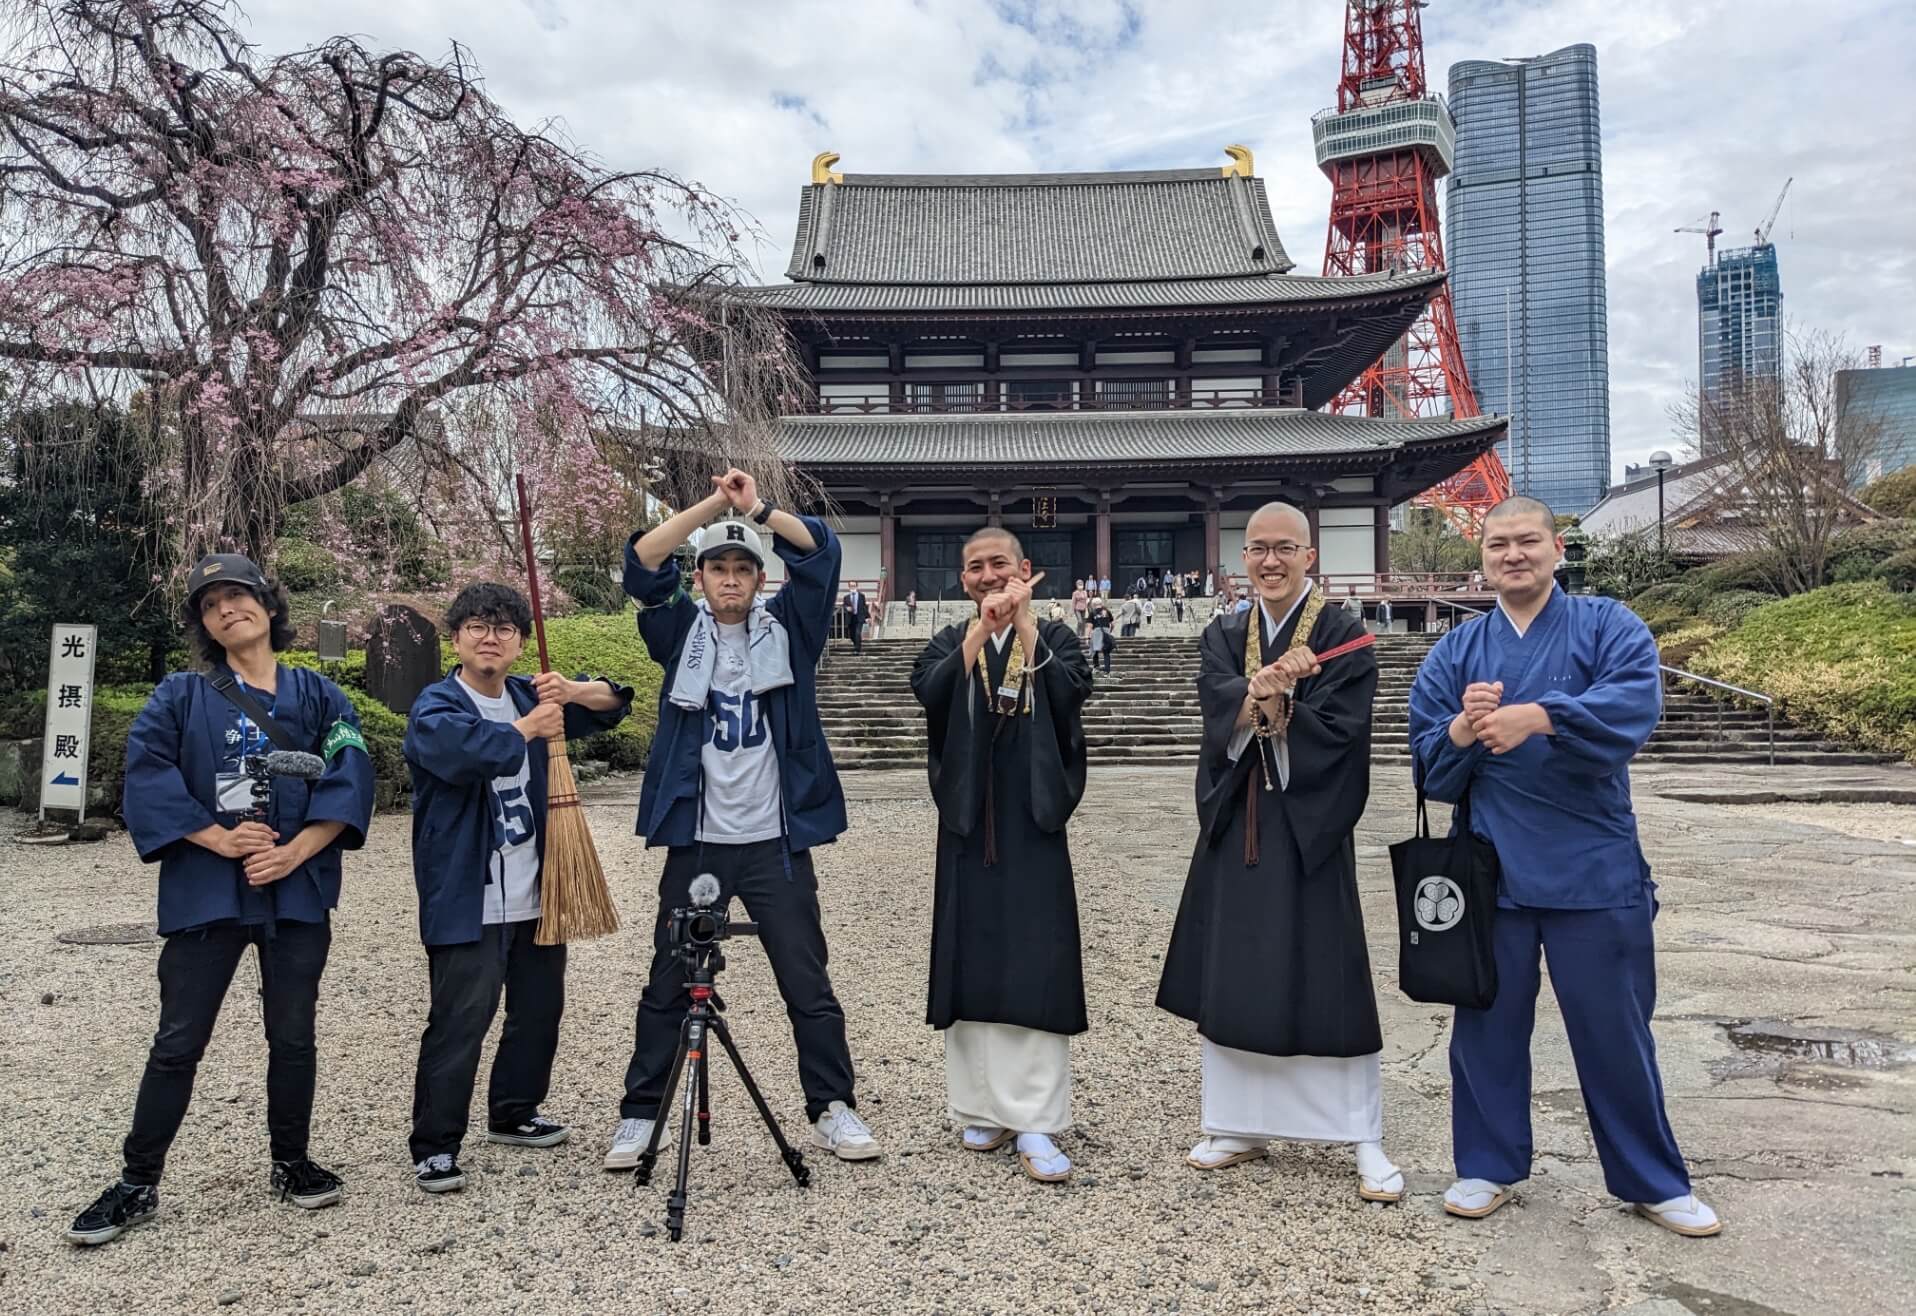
194 974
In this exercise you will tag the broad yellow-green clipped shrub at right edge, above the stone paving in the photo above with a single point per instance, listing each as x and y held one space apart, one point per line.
1840 660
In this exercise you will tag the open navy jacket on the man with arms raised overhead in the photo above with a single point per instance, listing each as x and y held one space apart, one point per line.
813 798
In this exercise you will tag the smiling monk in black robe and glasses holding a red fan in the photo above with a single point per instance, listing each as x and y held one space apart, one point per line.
1269 957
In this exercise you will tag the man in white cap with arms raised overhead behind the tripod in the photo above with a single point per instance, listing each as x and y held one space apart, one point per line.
741 784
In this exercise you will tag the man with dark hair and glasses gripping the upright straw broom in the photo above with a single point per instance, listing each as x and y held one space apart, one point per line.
478 754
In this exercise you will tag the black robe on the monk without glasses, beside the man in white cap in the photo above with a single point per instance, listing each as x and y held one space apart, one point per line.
1005 936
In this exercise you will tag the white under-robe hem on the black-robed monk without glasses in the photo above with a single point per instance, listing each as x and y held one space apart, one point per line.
999 1076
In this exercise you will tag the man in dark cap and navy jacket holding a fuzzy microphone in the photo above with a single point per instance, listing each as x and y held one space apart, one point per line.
246 859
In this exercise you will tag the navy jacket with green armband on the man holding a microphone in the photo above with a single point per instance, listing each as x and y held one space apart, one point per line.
183 760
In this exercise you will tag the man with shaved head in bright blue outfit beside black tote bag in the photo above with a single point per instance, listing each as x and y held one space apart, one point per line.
1538 712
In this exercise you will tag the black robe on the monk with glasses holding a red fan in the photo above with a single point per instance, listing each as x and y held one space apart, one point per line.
1271 959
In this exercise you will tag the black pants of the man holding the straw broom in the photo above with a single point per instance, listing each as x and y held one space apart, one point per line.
467 986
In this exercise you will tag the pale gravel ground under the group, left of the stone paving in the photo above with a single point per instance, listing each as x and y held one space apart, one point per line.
930 1229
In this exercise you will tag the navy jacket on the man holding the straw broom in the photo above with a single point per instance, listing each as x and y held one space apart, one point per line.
453 754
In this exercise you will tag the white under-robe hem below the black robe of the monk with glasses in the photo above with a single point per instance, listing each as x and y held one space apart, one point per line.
1300 1099
